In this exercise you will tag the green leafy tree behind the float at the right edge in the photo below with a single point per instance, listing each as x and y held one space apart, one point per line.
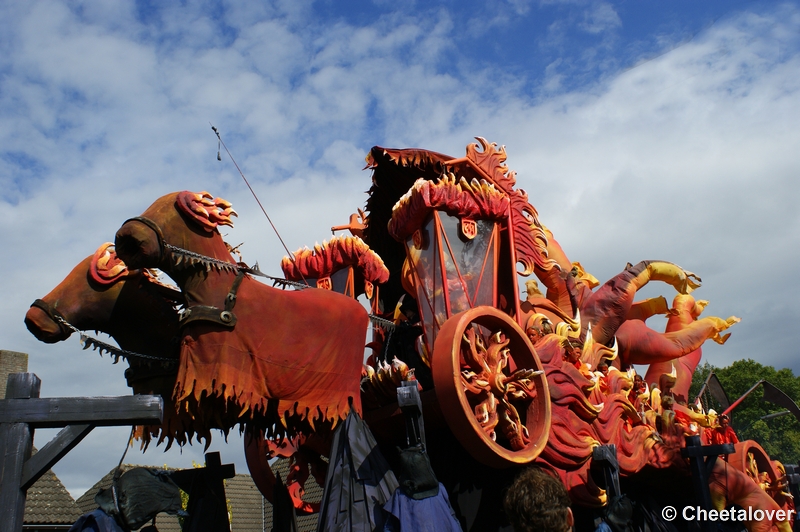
780 437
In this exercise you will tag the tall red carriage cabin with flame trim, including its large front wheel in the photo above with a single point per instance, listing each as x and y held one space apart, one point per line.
450 242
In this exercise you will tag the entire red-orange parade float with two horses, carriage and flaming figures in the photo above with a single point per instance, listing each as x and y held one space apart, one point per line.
505 379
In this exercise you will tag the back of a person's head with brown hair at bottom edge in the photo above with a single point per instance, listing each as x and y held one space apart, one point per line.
538 502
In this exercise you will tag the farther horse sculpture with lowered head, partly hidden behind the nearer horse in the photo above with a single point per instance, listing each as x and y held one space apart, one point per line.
101 293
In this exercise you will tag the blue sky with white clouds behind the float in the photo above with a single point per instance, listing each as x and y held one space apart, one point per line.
641 130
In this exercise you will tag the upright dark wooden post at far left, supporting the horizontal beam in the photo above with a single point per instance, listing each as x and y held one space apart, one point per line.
16 441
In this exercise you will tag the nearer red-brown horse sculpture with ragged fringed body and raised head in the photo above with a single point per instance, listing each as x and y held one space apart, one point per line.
287 363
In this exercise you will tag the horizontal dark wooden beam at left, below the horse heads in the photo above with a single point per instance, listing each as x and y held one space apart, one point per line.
99 411
